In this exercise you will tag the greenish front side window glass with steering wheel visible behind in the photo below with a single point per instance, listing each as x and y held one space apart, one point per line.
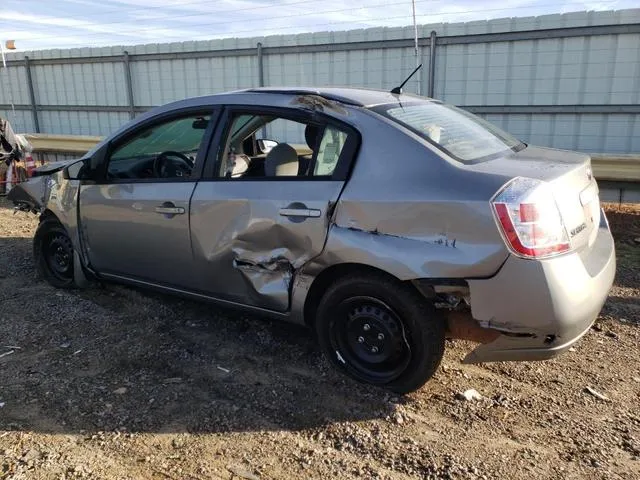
165 150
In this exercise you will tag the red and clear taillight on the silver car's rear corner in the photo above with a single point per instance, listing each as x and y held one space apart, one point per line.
529 219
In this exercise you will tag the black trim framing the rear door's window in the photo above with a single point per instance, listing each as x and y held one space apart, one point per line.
343 168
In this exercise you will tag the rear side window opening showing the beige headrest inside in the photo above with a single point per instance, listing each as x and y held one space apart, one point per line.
266 146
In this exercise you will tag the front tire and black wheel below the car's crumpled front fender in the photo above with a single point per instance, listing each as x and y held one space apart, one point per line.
53 253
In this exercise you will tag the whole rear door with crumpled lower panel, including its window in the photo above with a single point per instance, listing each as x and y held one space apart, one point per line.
259 216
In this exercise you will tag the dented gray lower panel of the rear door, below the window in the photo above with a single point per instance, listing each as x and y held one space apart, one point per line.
248 239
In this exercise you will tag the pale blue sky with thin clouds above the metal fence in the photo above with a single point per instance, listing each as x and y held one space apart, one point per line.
41 24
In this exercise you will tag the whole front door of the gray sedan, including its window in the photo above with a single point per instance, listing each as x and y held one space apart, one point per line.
136 219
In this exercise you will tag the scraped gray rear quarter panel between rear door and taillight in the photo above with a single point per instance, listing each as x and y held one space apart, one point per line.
411 213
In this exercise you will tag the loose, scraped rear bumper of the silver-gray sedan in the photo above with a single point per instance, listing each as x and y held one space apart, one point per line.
543 307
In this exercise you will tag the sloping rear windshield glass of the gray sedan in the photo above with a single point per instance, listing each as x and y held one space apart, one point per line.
460 134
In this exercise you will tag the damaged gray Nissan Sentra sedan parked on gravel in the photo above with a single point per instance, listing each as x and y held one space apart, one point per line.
386 222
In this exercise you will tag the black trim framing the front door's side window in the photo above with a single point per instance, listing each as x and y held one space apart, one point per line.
165 117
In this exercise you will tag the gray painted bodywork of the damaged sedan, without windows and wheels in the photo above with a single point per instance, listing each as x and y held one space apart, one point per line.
407 209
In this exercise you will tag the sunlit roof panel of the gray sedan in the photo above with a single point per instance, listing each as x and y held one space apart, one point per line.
361 97
